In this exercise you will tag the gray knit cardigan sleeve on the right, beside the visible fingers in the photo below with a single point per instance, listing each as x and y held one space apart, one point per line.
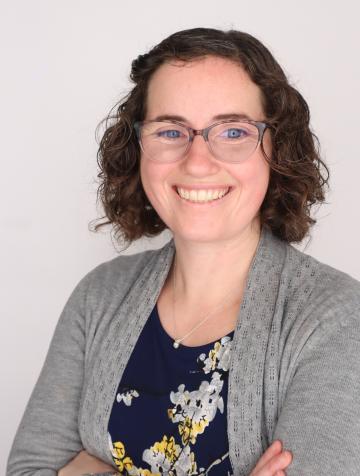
319 419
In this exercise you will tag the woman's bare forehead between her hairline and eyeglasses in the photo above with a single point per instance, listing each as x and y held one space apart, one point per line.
201 89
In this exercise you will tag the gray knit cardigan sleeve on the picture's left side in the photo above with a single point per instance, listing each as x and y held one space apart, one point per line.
47 437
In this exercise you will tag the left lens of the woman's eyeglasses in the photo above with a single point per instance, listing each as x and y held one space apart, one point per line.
164 141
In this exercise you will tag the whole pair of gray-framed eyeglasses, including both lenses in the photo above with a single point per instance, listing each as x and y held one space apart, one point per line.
228 141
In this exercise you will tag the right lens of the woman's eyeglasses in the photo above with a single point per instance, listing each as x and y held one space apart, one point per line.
234 141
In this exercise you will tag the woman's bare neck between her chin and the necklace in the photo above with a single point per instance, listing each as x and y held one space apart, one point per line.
206 272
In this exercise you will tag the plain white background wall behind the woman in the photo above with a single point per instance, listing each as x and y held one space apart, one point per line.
63 65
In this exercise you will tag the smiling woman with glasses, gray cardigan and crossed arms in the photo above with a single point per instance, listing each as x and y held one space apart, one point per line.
198 357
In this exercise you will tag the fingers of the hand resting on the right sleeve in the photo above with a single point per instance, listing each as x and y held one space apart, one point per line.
273 462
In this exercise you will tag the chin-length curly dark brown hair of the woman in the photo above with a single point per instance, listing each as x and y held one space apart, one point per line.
298 176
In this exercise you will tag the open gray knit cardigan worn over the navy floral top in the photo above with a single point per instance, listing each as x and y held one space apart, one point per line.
294 372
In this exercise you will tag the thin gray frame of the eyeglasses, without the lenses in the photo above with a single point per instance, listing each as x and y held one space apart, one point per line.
260 125
